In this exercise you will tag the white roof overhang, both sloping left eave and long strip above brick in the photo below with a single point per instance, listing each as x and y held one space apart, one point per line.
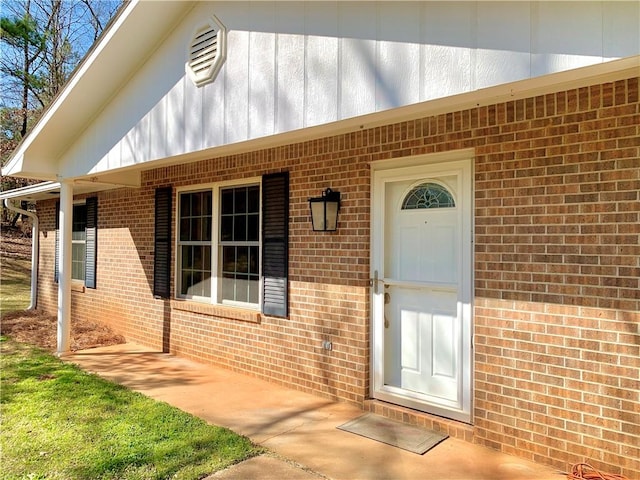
106 69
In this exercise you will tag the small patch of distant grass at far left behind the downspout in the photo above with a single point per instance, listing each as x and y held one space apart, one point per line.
15 286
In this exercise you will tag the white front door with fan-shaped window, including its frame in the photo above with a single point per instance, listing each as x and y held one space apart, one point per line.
421 304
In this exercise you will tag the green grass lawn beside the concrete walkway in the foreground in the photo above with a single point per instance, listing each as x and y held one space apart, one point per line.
59 422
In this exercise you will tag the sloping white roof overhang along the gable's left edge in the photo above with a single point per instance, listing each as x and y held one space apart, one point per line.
127 43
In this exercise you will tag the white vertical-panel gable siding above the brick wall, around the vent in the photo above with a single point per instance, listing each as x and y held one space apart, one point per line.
295 65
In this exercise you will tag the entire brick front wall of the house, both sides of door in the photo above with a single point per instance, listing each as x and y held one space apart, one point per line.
557 249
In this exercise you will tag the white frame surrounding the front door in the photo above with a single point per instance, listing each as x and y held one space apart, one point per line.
382 172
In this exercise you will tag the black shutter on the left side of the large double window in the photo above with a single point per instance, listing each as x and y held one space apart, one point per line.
162 247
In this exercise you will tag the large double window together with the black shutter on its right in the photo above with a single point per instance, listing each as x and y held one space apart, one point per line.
223 254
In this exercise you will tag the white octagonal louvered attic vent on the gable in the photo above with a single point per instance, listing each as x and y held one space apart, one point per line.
207 52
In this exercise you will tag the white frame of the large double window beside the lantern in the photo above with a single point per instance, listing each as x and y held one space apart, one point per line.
216 284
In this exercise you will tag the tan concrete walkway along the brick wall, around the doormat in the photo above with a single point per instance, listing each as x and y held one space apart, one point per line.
300 429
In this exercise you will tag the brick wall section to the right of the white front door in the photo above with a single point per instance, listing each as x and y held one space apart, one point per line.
557 268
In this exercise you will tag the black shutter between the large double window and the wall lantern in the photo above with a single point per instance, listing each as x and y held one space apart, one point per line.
275 243
